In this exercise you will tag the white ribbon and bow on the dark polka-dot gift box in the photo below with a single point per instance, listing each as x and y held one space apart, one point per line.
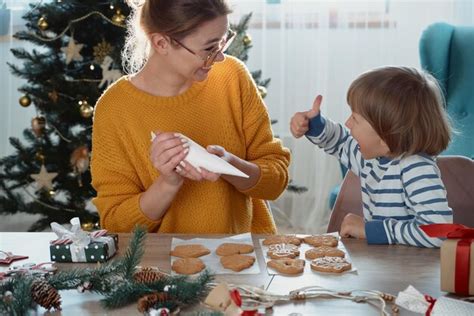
79 239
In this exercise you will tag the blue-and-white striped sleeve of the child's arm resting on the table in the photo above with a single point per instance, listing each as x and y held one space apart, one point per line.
426 199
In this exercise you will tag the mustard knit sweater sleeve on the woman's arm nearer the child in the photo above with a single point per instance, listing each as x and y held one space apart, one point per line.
263 149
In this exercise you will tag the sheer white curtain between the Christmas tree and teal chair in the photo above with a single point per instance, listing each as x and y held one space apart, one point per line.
319 47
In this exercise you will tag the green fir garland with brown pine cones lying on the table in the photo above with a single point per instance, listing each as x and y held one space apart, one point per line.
120 281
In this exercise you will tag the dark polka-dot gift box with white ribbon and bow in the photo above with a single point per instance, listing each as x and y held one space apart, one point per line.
76 245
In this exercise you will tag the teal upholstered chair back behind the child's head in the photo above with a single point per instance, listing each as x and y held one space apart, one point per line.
447 52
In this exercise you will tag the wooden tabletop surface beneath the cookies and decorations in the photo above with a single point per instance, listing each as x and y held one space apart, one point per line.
385 268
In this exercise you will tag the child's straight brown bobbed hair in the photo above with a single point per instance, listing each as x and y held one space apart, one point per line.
405 106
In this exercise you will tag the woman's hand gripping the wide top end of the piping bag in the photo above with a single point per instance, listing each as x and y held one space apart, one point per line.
167 151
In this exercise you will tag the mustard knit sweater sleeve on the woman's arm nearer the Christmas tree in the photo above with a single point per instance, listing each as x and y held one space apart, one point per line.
113 177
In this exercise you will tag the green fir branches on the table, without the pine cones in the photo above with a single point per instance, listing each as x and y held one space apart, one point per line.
114 280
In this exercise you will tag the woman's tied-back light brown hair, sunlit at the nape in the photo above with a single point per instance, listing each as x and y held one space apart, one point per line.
174 18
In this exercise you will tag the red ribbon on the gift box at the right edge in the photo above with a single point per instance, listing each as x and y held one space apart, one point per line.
463 250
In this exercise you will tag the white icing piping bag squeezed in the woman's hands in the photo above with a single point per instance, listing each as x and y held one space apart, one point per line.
199 157
